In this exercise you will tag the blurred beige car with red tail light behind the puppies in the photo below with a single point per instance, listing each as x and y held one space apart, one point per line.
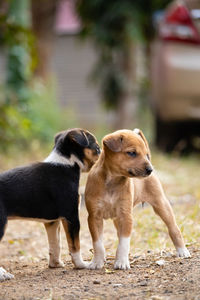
175 76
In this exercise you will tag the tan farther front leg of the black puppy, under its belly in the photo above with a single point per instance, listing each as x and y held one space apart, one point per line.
53 234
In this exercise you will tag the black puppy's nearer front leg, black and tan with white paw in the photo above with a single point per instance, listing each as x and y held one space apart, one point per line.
72 228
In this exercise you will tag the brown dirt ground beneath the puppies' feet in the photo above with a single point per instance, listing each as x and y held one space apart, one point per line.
24 253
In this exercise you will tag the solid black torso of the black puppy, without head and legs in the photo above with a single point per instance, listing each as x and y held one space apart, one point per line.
42 190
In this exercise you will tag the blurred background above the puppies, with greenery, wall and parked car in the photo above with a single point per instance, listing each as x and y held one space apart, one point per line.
102 65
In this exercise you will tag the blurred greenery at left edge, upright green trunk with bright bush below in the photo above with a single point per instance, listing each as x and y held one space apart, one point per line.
28 110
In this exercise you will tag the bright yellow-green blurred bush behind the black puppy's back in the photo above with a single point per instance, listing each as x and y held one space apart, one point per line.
39 120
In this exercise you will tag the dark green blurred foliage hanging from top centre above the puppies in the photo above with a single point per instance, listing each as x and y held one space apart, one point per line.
111 25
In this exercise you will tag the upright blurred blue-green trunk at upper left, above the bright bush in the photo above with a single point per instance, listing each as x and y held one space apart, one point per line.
19 43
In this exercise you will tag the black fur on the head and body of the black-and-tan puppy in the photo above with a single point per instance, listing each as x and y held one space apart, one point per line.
45 190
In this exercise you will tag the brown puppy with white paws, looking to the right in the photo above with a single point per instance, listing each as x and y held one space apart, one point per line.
118 181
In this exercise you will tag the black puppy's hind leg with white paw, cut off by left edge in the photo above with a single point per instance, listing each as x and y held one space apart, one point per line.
4 275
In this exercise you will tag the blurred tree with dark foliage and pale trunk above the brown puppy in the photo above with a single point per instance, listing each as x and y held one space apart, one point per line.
115 26
